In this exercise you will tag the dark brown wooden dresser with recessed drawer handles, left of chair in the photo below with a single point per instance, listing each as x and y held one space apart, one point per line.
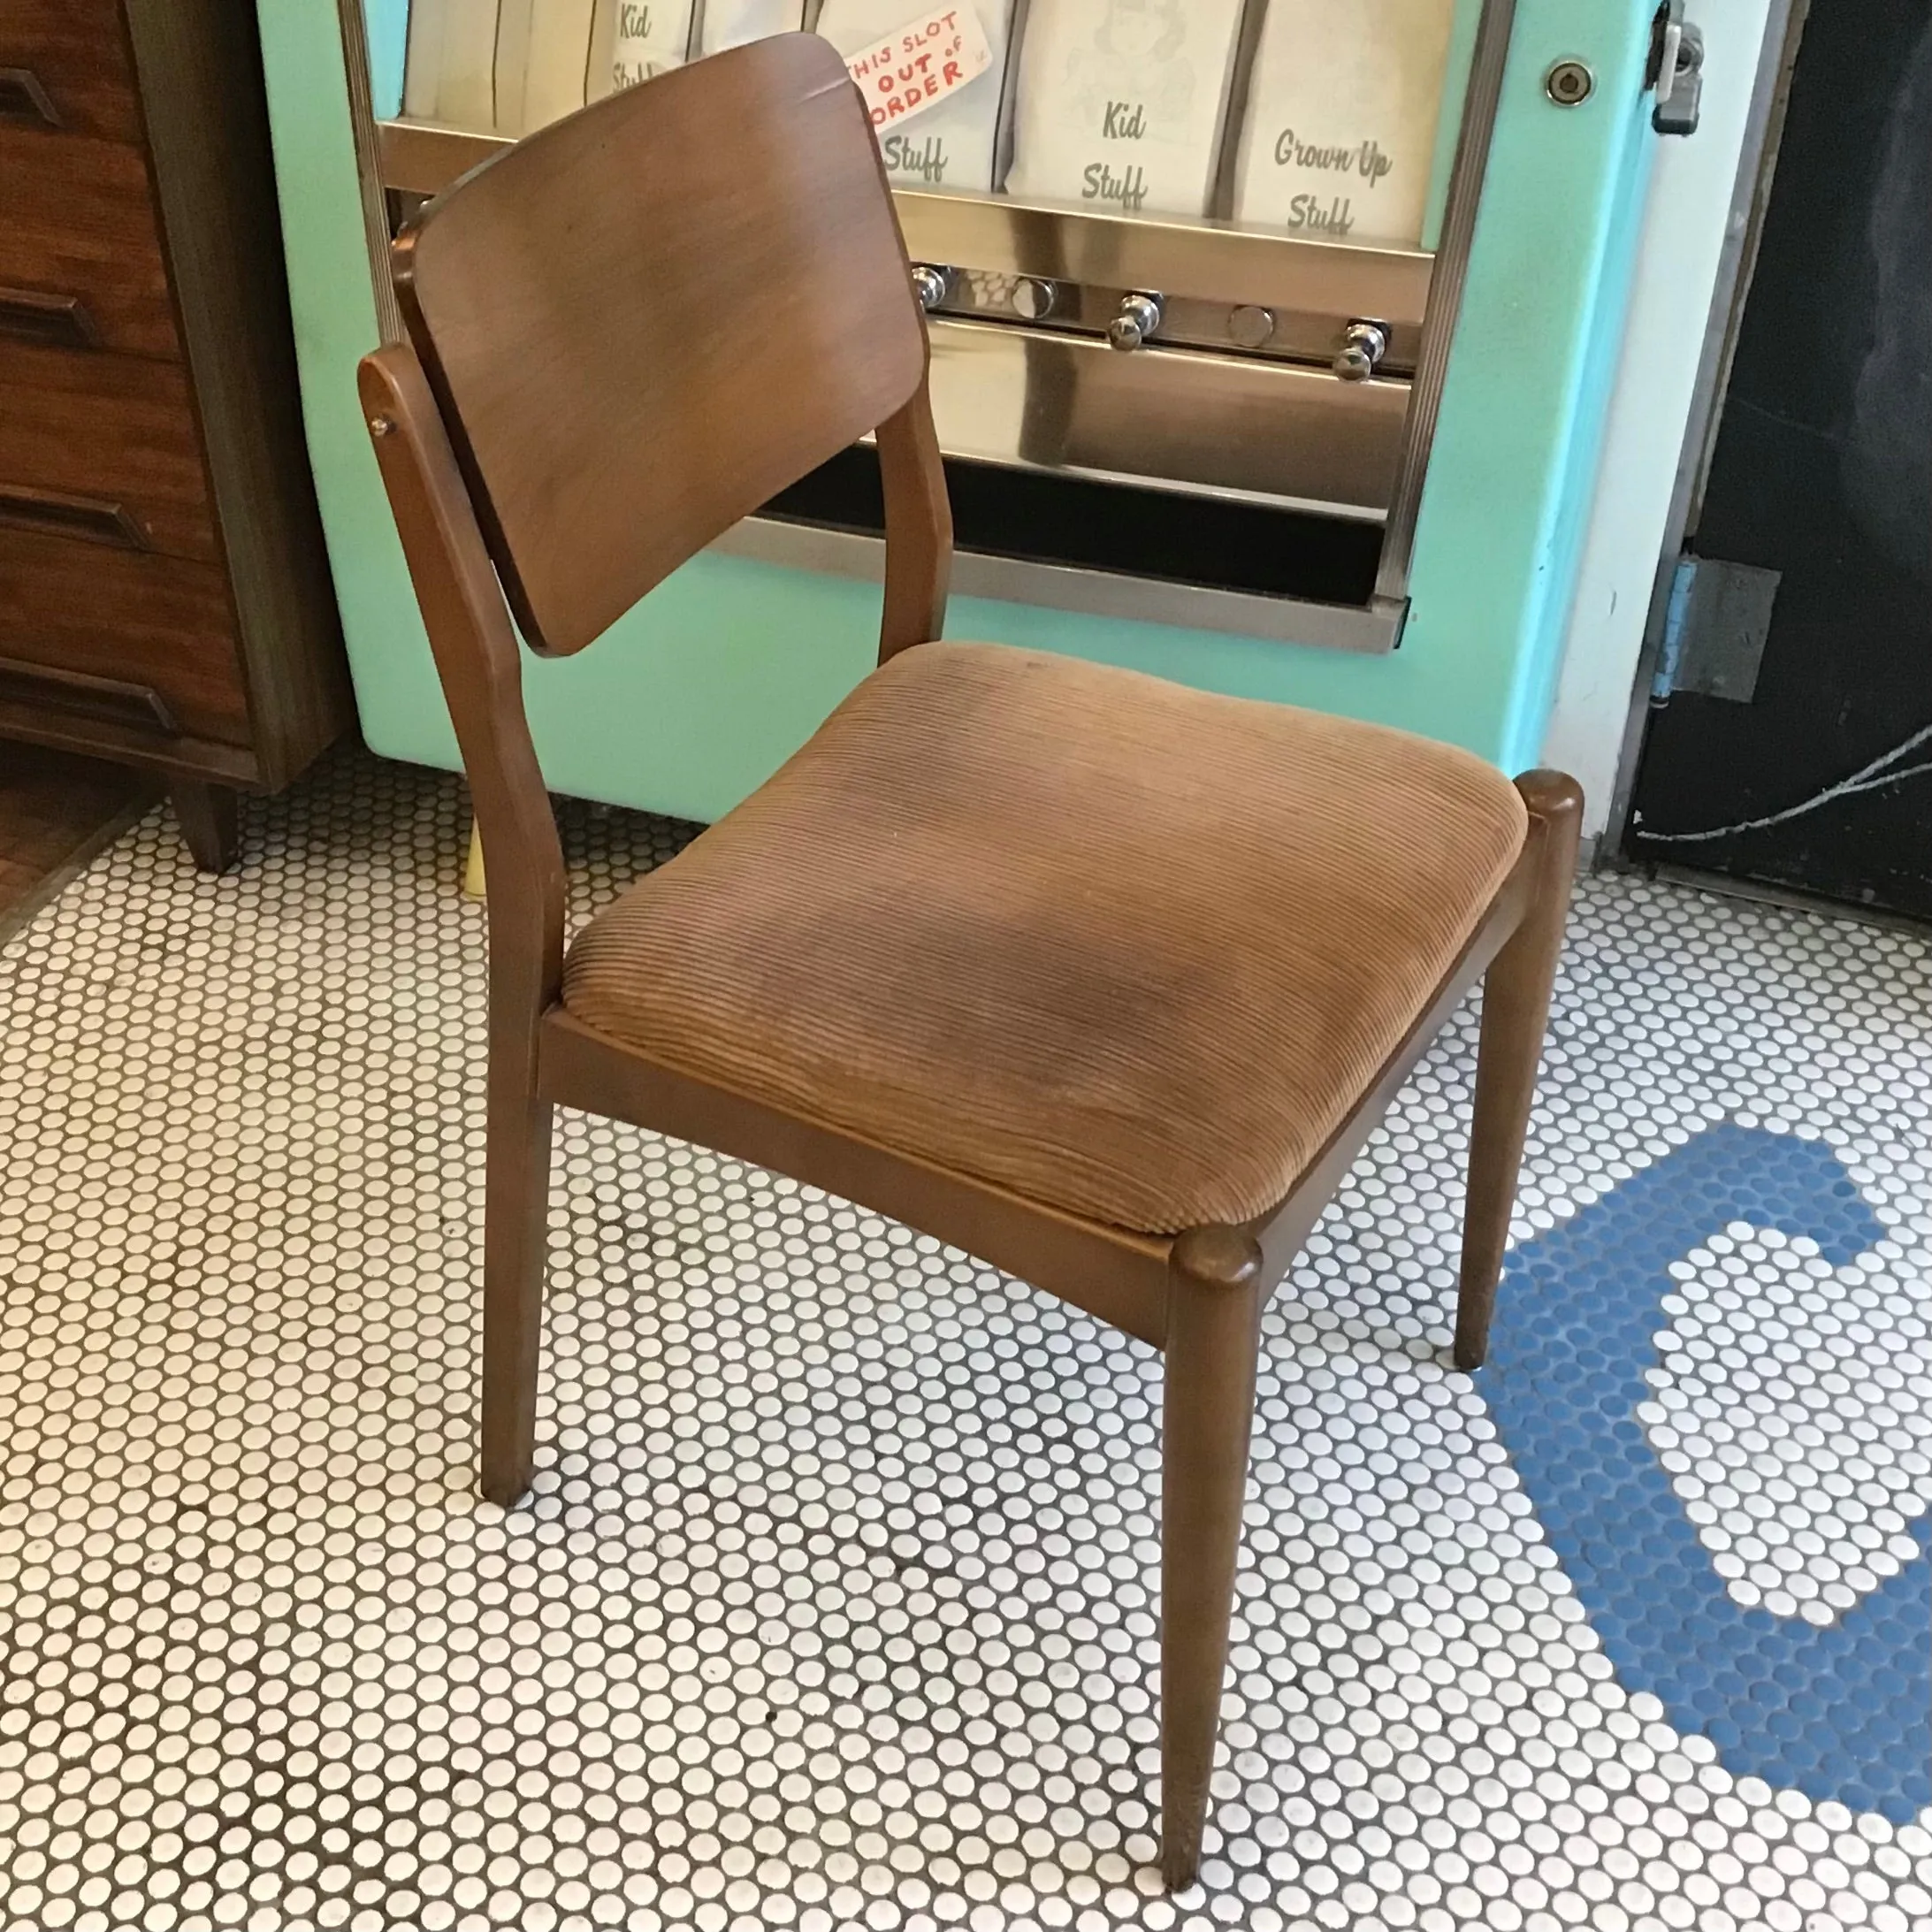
165 598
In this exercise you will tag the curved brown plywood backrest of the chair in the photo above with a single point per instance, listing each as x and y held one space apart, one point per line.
648 320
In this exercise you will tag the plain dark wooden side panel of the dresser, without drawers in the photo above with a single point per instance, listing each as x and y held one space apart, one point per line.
208 119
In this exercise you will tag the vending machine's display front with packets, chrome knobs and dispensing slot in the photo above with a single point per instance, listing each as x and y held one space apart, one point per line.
1191 266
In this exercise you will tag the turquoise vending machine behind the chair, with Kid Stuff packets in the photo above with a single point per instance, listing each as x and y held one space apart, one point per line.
1270 349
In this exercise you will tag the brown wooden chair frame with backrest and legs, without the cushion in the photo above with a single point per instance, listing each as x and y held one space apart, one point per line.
776 326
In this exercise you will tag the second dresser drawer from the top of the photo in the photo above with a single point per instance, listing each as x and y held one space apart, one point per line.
78 227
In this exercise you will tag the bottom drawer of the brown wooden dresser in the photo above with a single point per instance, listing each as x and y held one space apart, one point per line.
86 631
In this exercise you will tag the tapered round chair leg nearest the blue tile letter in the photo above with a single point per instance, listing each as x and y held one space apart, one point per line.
1516 1008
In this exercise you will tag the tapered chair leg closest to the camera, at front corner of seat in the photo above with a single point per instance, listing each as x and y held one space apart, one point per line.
1214 1319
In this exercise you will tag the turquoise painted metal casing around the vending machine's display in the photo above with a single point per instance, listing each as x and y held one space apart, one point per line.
700 693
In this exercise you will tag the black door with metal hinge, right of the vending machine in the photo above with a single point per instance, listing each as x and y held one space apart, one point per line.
1815 774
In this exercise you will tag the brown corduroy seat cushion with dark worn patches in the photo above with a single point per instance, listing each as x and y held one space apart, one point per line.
1118 946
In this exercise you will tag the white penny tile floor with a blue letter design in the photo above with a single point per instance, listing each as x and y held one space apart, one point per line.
836 1599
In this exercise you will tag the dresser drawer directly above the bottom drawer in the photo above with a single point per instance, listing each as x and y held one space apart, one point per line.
109 432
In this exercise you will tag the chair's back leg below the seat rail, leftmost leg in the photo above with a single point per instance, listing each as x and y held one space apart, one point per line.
517 1210
